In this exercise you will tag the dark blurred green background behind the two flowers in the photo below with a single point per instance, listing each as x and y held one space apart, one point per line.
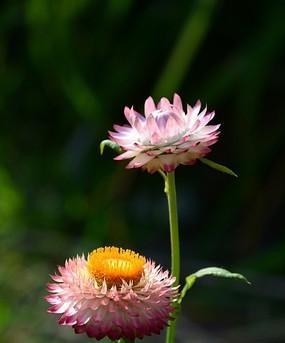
67 69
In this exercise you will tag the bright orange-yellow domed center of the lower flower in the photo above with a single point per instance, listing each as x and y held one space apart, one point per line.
115 264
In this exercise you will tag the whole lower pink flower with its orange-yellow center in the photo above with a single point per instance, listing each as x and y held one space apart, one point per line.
115 293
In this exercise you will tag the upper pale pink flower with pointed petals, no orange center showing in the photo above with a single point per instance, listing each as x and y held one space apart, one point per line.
165 136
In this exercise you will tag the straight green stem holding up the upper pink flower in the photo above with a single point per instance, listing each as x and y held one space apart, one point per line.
170 191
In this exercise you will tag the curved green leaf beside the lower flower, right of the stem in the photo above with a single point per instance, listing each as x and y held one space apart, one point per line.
210 271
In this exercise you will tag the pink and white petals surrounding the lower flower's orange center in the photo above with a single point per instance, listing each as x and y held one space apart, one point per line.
130 311
